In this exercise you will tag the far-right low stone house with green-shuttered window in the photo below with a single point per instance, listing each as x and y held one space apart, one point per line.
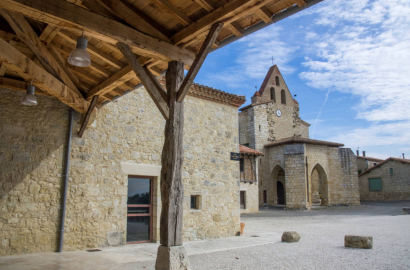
386 181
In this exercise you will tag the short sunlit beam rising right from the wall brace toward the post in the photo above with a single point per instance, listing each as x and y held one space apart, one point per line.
118 78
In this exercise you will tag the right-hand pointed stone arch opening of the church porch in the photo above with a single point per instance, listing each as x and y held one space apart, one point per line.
319 185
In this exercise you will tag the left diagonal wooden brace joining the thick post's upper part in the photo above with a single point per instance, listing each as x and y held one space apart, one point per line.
153 88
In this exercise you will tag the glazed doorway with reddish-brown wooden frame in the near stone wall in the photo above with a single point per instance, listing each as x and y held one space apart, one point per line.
139 209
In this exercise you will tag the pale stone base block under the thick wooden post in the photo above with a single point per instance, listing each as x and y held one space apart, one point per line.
172 258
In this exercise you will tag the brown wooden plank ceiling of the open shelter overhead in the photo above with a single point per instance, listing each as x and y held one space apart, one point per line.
156 30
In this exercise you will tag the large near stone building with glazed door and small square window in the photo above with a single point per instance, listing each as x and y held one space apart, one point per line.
113 189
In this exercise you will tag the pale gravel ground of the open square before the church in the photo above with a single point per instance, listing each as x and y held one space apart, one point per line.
322 242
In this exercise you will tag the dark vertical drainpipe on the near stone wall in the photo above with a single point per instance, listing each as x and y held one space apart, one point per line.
66 172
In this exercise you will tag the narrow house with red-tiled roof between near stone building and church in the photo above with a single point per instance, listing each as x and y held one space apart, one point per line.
249 160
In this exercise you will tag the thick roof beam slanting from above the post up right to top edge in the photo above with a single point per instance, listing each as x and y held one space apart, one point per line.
224 14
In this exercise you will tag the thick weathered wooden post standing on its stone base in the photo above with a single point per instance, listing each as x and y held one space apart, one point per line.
171 253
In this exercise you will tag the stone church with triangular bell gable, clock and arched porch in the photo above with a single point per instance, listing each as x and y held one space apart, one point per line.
294 170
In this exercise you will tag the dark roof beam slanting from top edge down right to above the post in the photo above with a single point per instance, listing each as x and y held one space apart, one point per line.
123 11
